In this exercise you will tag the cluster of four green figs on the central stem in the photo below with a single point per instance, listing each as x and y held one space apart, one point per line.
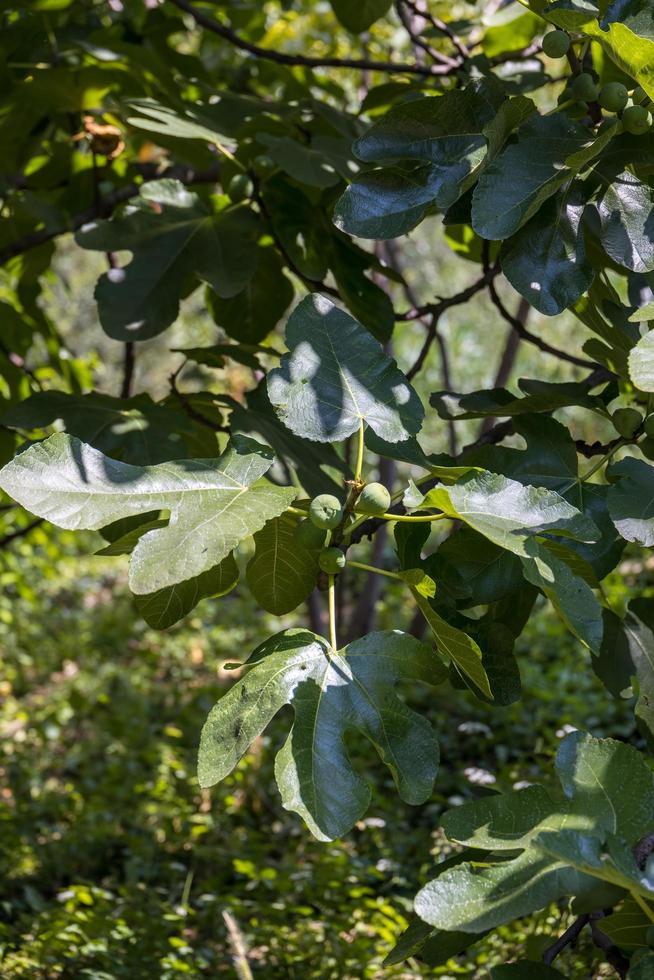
326 513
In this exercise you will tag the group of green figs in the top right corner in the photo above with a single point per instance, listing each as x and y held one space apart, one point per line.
613 96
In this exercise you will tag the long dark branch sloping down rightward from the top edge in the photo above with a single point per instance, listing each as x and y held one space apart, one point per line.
297 60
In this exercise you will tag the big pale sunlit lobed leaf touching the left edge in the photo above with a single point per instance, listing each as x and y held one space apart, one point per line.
214 504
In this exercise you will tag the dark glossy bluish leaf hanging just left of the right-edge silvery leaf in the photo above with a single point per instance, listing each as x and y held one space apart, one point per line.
546 260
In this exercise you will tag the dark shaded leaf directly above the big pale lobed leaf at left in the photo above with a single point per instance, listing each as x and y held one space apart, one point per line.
136 430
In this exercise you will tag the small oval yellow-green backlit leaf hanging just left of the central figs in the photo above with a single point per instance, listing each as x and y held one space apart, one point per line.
281 573
